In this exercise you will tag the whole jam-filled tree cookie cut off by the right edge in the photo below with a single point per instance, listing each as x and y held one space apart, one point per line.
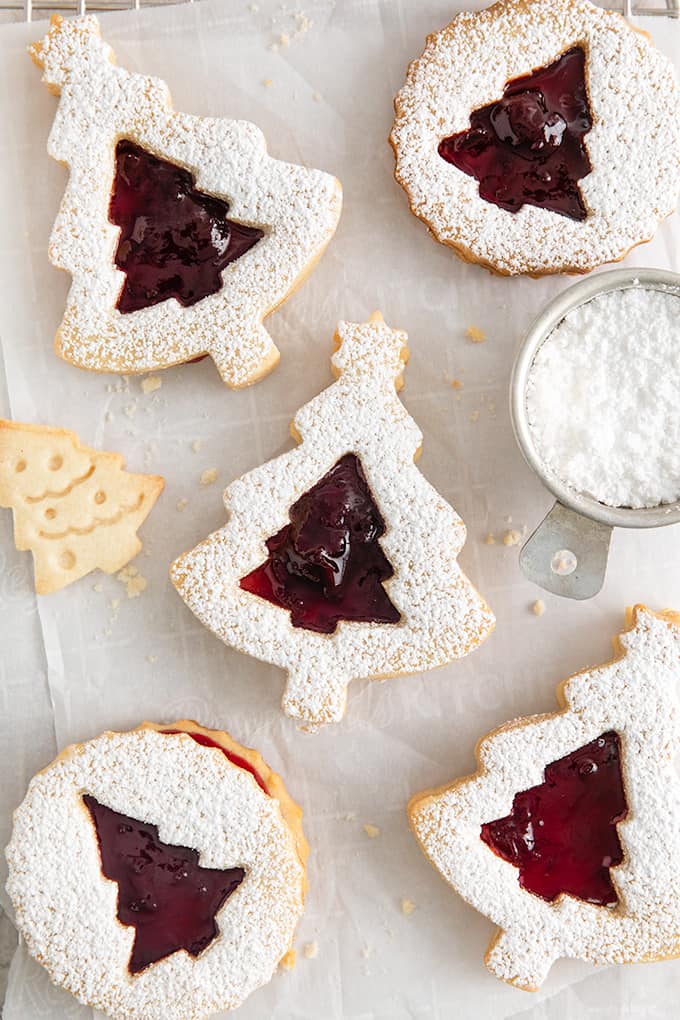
567 836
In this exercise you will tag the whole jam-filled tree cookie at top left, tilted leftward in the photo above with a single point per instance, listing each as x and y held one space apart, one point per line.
181 233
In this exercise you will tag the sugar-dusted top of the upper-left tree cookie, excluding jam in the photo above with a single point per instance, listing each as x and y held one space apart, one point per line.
298 209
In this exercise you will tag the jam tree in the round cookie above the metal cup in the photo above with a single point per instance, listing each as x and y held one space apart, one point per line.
529 146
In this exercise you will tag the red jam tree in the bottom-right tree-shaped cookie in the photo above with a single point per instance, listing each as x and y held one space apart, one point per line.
562 835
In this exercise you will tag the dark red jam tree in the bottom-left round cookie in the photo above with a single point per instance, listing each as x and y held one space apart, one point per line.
164 893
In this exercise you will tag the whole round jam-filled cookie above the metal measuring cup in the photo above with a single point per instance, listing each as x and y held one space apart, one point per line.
540 136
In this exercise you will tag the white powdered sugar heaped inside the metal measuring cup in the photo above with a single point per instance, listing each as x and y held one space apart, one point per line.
603 398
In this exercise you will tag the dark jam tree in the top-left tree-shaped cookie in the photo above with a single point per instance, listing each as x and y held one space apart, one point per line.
175 241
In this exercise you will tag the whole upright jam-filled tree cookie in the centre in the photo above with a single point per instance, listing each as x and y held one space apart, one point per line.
339 560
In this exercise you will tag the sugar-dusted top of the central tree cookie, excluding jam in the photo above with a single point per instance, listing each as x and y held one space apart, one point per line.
443 617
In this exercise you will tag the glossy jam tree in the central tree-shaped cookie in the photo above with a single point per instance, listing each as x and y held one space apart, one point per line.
328 565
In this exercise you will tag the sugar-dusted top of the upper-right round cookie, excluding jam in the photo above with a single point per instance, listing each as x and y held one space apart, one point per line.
634 146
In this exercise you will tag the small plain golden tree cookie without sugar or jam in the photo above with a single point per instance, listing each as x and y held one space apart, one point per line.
75 508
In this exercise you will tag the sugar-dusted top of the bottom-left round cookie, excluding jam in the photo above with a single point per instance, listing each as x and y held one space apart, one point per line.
67 909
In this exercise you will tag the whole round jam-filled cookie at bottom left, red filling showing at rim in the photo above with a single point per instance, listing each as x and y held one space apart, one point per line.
159 874
